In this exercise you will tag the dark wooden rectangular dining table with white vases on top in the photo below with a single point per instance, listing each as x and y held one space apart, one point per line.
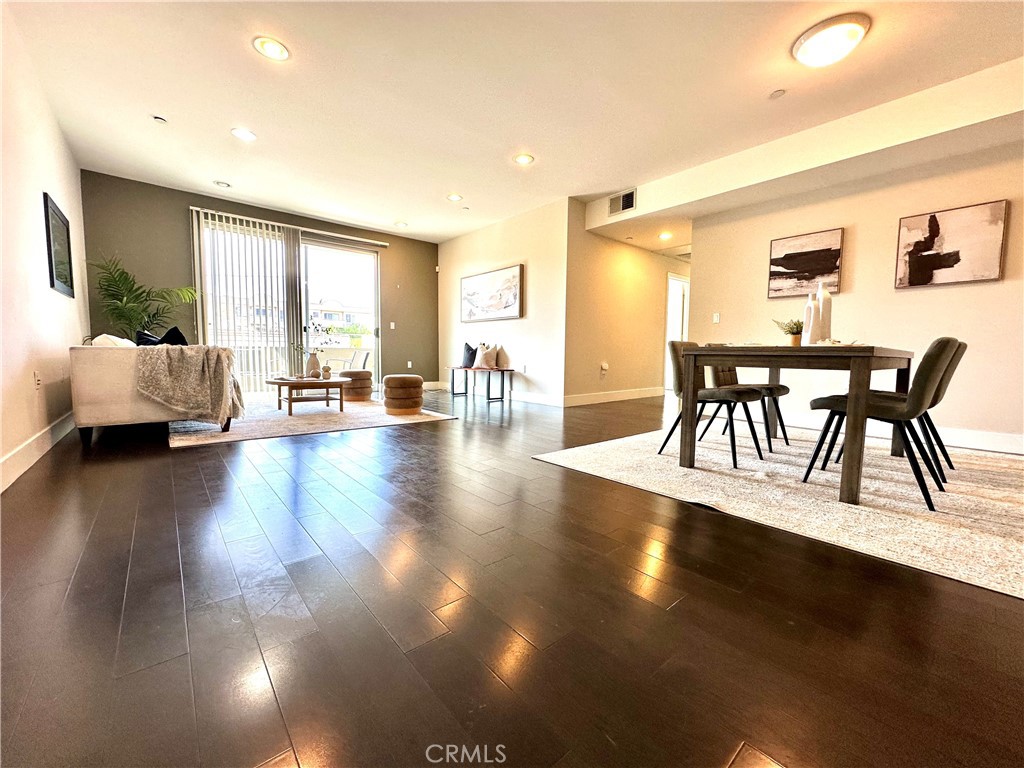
860 360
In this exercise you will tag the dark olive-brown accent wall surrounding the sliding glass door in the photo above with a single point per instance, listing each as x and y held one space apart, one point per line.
149 228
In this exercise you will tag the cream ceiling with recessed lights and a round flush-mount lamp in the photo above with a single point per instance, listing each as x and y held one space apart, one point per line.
385 109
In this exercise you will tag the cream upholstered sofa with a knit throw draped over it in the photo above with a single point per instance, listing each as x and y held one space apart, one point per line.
105 392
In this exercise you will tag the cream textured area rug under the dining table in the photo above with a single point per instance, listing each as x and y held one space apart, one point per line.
977 535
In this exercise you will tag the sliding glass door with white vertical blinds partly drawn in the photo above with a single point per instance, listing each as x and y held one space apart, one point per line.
270 291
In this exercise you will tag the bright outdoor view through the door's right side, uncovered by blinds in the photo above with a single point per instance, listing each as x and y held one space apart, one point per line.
340 306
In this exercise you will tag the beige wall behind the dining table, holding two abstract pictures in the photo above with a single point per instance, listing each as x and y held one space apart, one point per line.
984 407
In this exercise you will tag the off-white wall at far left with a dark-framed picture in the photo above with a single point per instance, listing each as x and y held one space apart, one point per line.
39 324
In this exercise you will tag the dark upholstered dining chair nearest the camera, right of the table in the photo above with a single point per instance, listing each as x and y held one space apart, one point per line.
900 412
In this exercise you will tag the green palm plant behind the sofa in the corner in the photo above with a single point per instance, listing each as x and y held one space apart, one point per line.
132 307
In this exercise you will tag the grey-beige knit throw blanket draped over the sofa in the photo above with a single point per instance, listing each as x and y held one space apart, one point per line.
196 381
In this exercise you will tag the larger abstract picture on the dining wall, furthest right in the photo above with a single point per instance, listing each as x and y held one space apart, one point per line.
960 245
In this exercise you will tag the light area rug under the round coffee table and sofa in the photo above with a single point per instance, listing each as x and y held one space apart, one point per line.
264 420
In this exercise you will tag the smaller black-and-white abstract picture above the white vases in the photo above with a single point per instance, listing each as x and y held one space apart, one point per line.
797 265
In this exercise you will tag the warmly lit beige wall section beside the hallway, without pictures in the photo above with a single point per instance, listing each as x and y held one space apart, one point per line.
616 313
